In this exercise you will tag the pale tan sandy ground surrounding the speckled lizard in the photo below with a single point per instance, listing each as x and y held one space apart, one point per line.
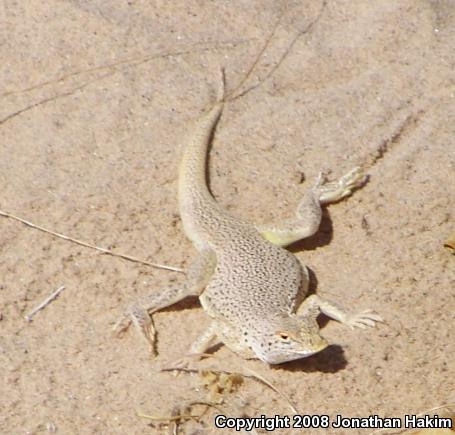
97 99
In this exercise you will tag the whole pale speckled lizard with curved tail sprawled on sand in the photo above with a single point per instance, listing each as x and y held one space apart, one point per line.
252 288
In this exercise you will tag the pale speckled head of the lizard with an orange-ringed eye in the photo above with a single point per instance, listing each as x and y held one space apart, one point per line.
286 338
